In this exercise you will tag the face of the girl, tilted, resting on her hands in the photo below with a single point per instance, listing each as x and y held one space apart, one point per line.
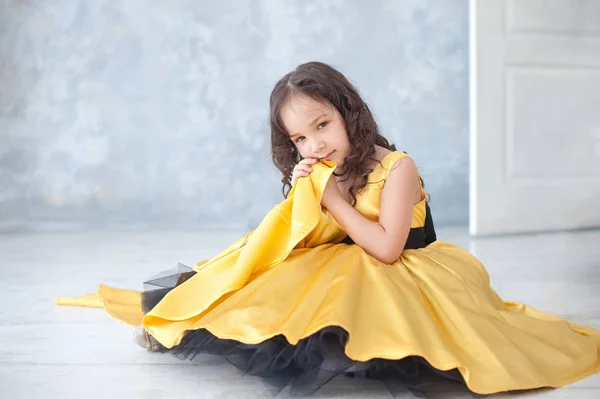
317 129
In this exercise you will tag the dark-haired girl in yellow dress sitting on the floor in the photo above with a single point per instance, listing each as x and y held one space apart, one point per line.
345 276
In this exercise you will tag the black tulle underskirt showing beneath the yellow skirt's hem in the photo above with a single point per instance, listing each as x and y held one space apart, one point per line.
308 365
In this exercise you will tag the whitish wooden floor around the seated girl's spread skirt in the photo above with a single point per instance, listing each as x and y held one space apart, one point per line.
48 351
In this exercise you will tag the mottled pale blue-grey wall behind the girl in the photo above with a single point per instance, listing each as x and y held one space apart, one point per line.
153 114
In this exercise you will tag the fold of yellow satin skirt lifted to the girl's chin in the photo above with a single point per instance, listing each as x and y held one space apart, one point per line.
279 232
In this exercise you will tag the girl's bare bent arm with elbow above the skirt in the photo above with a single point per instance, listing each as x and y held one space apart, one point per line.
384 239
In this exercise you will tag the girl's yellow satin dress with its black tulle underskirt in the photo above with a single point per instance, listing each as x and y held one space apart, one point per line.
294 297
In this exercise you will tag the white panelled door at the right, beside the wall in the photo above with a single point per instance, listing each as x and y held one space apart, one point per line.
535 115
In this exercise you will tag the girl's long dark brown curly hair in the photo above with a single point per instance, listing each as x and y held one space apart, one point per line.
325 84
